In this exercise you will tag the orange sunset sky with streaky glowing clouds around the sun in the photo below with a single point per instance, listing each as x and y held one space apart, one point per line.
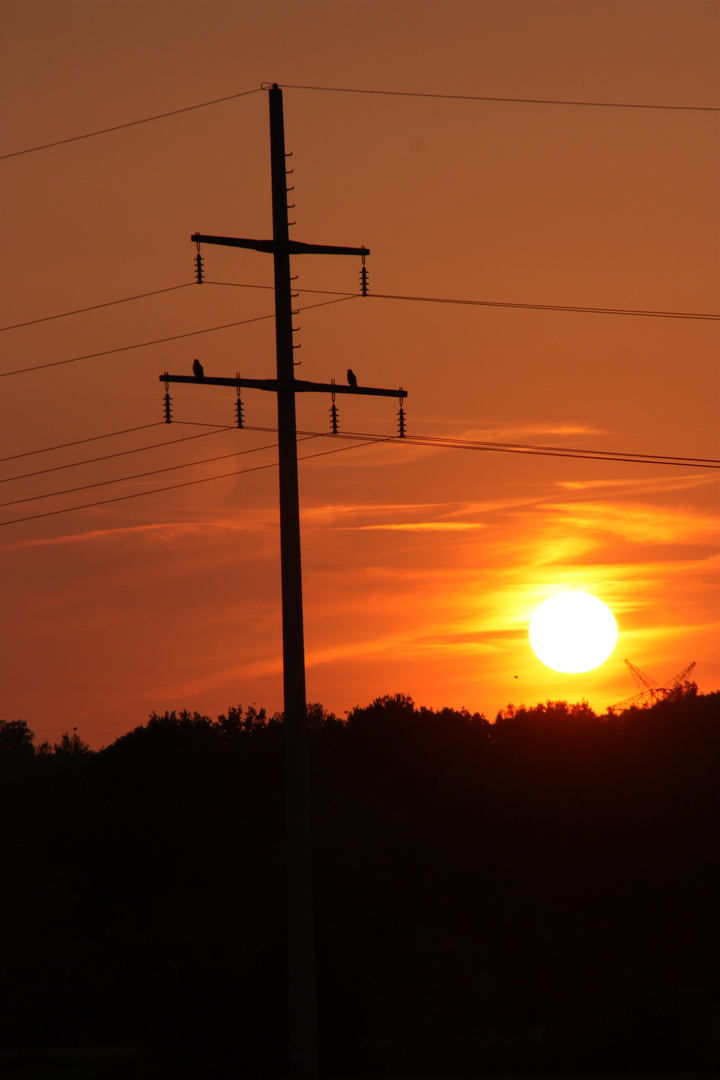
423 564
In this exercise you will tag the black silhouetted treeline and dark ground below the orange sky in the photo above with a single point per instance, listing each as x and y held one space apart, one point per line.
535 897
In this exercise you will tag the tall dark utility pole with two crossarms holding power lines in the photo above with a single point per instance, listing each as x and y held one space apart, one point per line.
302 944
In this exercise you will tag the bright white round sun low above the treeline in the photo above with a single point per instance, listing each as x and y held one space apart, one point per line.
574 632
